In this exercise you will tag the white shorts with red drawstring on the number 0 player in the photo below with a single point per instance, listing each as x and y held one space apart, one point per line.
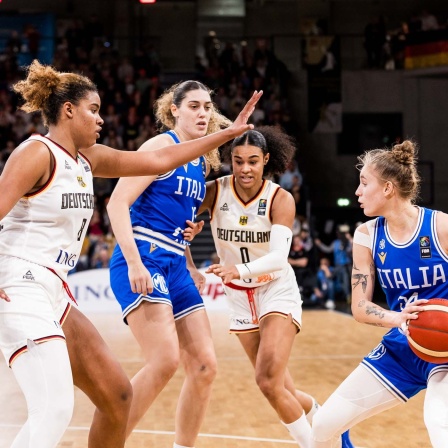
281 297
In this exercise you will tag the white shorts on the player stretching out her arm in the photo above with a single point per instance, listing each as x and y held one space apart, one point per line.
37 308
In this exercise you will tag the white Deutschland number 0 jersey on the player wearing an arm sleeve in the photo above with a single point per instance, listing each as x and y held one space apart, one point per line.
242 230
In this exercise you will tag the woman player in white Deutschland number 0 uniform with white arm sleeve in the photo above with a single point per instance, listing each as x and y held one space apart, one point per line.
251 221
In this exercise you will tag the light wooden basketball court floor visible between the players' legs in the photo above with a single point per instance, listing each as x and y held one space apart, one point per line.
329 347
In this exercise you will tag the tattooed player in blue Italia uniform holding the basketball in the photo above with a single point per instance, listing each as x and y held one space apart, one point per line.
407 248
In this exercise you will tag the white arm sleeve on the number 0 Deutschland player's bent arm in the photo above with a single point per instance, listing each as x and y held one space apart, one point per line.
275 260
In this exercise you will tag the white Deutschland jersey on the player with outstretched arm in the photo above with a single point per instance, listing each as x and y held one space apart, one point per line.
48 226
